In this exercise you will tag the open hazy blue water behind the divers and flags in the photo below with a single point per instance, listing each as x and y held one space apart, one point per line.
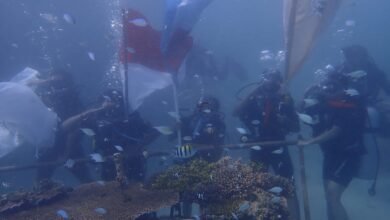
239 29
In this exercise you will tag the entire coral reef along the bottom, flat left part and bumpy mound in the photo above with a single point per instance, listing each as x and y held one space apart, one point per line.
226 189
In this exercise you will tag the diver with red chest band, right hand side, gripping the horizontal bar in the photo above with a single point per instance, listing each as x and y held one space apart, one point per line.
337 118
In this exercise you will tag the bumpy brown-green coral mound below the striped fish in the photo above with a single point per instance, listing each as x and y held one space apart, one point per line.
228 189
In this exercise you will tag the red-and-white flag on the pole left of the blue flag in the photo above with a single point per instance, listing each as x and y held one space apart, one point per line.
146 68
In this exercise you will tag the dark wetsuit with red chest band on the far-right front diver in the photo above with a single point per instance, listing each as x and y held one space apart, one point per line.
342 153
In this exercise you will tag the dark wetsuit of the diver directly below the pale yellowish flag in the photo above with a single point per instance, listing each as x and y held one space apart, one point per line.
270 118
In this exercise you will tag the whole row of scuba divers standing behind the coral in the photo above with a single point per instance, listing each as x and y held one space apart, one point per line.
335 108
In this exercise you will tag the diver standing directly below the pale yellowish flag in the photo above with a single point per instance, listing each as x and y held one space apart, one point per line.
269 115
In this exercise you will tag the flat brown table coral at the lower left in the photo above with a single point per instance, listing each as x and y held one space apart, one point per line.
117 203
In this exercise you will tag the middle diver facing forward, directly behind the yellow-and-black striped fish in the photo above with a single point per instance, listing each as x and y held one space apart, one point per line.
205 127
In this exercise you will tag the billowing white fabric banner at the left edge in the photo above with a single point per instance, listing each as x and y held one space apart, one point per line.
24 118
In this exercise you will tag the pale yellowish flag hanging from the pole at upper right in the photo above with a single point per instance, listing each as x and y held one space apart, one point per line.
303 22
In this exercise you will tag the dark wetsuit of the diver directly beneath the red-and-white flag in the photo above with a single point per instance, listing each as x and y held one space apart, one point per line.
131 135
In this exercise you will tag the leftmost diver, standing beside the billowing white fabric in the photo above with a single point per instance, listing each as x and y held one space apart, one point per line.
58 92
